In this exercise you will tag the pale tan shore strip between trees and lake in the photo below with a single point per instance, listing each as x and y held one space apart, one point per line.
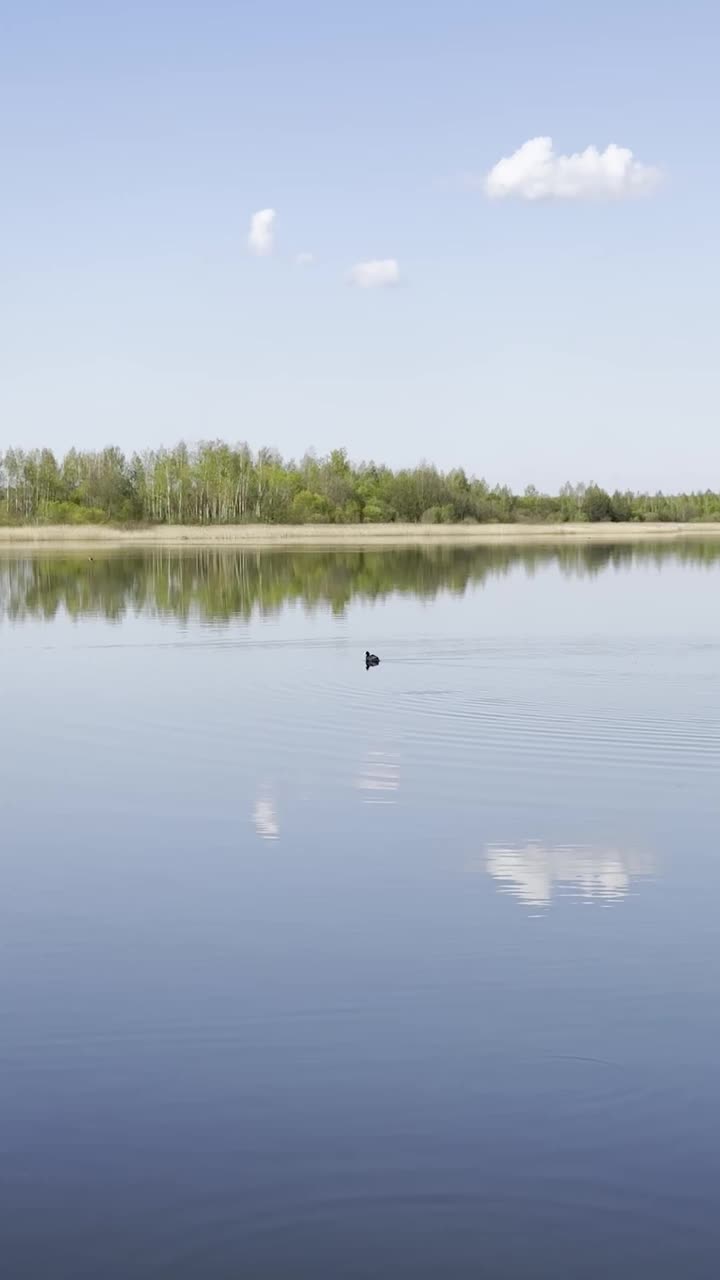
341 536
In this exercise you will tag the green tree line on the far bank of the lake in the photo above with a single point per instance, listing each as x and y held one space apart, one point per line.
218 483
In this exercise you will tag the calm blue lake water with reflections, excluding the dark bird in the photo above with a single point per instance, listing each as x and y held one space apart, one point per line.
309 971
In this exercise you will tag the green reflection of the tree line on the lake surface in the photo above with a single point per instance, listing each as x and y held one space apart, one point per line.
227 584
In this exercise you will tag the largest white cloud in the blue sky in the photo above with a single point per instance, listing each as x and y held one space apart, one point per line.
536 172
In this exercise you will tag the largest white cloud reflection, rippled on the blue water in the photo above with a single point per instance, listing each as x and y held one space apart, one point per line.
536 874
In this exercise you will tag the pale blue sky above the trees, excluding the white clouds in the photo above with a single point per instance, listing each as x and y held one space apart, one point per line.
530 341
